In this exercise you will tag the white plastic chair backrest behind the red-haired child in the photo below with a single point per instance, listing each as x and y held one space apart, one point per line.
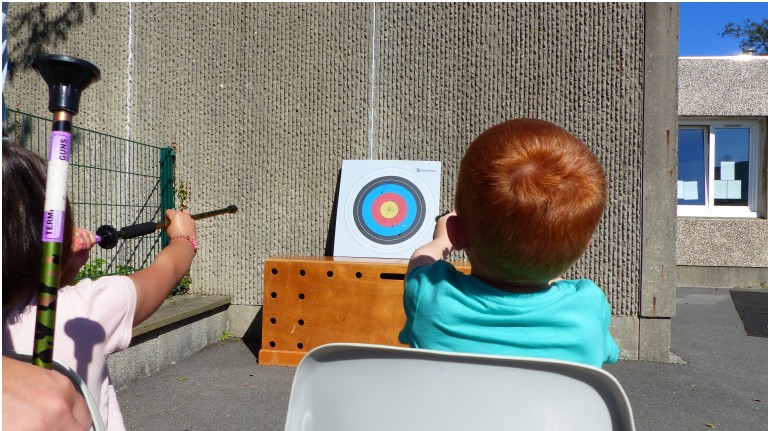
369 387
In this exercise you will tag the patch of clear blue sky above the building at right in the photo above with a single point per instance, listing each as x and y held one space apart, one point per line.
702 23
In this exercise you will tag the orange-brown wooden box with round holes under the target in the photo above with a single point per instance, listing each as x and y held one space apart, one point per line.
311 301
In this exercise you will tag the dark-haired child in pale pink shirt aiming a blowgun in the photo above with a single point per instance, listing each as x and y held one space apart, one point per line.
94 318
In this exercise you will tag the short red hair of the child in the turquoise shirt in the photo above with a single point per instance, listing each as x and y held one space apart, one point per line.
529 196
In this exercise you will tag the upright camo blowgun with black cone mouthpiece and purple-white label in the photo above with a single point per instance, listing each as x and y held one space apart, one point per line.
66 77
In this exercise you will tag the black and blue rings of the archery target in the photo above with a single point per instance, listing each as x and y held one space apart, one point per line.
389 235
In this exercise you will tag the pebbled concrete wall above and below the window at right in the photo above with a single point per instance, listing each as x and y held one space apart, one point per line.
726 87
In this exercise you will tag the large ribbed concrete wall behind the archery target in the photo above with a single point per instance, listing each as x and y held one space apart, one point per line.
265 100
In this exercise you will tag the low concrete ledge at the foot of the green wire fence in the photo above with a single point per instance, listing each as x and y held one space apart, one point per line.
182 326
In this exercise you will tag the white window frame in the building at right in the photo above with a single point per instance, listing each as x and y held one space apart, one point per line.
709 209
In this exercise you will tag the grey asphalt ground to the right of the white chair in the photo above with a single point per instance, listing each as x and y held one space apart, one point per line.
723 386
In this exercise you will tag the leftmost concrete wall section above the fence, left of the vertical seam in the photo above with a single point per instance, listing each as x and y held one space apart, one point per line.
89 31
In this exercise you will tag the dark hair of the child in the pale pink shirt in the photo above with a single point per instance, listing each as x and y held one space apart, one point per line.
24 174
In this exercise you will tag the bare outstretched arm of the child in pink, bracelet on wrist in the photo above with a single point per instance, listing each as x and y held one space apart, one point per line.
154 283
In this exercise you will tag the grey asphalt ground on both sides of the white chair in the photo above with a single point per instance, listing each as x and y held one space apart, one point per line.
723 385
